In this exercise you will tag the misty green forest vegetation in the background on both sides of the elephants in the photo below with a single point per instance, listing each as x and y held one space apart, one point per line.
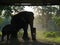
47 19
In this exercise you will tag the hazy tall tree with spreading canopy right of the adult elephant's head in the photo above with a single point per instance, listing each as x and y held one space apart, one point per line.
46 13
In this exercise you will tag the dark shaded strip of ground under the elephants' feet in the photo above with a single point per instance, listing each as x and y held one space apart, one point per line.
20 42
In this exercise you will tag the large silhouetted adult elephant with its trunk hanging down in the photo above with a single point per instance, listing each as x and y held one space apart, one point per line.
21 20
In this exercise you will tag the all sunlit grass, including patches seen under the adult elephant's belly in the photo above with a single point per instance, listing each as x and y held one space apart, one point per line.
40 37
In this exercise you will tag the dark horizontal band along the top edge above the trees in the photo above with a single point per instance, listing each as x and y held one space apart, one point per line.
32 2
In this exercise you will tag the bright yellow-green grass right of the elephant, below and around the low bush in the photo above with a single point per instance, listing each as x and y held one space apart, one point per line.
40 36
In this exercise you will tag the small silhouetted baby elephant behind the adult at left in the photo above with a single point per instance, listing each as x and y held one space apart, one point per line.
7 30
